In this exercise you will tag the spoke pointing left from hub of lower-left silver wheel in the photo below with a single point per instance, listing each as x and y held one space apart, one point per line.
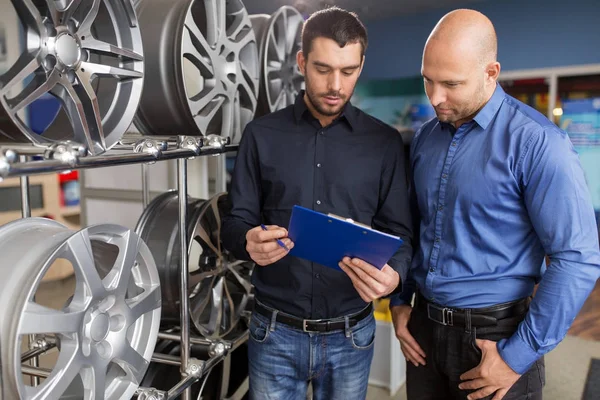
39 319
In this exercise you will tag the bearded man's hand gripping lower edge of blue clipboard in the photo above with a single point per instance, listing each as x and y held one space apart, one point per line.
370 282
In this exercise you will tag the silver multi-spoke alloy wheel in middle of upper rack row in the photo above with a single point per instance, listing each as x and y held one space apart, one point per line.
202 68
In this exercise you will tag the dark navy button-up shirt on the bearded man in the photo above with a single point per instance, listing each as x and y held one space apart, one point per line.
354 167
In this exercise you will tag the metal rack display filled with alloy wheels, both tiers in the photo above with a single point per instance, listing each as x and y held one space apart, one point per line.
108 67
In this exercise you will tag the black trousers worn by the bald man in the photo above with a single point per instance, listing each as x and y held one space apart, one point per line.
451 351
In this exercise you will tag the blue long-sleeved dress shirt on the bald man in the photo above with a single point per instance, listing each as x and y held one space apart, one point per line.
492 198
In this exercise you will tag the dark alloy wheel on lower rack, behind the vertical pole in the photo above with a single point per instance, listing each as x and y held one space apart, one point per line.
219 285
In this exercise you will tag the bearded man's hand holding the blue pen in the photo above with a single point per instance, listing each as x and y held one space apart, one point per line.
263 247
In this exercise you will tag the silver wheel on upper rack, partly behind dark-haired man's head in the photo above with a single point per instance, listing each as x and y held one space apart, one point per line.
280 41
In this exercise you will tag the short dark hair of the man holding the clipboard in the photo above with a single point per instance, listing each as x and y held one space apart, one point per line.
336 24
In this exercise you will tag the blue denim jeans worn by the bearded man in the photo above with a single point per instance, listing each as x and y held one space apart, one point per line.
283 360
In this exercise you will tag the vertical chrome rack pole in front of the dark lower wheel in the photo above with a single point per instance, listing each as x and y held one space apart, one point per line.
183 287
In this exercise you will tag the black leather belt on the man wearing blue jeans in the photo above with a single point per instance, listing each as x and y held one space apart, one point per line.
314 325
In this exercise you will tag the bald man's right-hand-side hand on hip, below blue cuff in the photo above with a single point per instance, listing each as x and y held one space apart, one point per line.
492 375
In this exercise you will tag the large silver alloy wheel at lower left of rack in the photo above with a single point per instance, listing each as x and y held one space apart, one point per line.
106 333
